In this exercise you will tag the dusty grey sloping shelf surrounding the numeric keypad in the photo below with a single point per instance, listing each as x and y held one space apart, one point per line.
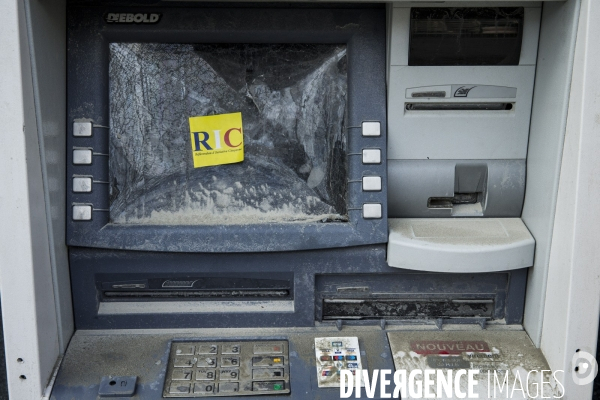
91 356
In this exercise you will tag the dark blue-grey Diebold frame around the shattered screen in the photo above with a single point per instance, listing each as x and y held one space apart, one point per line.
362 30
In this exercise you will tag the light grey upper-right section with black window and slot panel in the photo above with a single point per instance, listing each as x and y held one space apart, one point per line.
445 101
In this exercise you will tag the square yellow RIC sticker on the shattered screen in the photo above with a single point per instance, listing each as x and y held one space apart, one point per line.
217 139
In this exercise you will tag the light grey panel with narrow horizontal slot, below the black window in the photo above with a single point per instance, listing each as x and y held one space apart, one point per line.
464 134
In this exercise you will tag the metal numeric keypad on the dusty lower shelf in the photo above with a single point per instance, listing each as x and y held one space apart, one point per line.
210 369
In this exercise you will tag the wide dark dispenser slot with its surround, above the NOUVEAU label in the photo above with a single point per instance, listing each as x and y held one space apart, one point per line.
412 296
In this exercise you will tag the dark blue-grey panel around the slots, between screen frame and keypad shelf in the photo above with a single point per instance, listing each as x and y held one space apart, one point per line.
306 270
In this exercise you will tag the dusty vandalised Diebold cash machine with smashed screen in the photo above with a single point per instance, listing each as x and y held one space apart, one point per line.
378 220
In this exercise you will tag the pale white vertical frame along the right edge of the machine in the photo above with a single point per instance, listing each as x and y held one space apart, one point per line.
572 303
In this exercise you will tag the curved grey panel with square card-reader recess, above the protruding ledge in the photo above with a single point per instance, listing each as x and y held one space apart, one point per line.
412 182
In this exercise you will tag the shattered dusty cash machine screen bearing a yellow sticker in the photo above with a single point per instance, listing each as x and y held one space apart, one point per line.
291 100
